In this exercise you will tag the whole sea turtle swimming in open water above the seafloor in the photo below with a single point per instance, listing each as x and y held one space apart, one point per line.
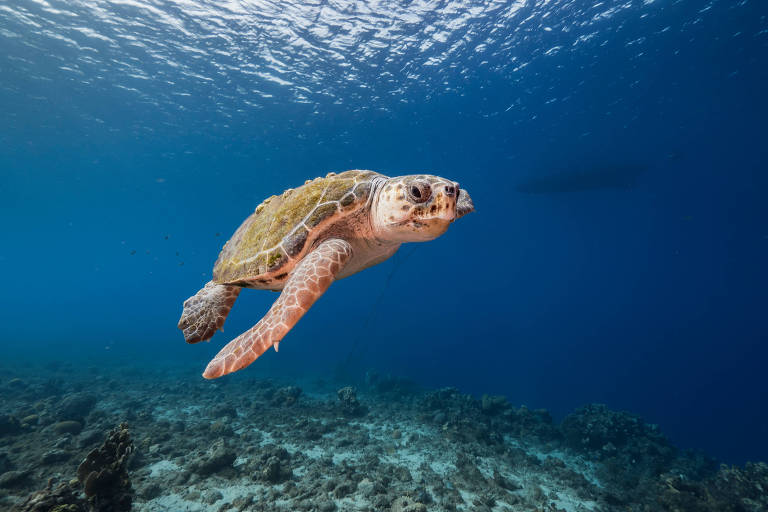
304 239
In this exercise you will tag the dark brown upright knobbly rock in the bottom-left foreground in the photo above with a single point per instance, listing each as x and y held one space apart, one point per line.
104 475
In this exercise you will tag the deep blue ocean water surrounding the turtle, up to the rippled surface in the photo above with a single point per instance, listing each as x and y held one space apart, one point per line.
615 152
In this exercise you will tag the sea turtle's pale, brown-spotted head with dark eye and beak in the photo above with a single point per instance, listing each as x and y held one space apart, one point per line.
418 208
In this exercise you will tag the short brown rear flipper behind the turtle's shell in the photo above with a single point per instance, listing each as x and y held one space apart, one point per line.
206 311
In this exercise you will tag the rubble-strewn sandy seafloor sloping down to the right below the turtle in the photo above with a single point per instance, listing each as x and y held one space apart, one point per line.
383 444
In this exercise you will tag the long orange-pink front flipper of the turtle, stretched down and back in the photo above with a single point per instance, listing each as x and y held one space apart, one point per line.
308 281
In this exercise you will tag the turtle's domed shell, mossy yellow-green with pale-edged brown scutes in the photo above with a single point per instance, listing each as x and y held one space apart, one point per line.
282 228
